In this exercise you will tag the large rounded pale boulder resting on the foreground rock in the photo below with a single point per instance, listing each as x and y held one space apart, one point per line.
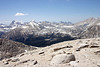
62 59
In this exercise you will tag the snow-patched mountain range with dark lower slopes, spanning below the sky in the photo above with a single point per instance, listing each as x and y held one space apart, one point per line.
46 33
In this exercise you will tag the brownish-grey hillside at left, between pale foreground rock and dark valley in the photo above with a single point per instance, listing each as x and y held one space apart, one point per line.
10 48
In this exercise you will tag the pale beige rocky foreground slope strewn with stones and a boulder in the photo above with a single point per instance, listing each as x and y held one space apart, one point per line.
76 53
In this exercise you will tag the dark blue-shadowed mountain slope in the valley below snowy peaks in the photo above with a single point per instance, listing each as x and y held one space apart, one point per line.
37 40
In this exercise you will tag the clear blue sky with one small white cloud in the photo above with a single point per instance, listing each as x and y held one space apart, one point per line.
49 10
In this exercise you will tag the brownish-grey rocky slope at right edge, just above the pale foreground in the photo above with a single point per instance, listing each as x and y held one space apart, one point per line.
93 31
